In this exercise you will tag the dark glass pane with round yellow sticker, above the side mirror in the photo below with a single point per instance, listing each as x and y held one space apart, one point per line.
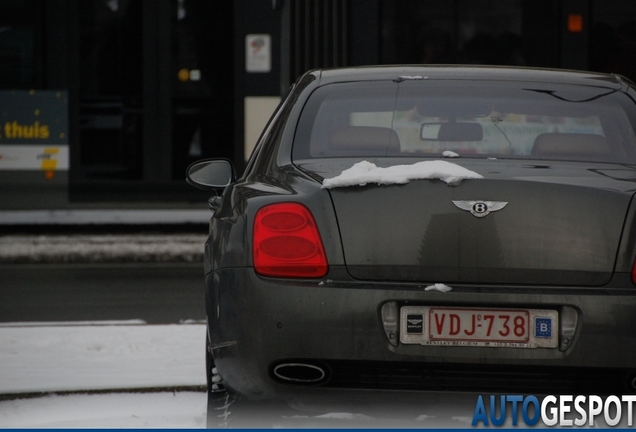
201 92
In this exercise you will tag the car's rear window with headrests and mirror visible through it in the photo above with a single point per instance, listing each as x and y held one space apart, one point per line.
420 118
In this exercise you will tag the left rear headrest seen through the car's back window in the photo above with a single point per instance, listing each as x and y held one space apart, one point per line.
364 138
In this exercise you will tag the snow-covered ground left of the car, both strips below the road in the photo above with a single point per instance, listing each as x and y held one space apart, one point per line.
69 357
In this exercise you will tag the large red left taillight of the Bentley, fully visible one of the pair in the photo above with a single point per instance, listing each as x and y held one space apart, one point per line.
287 243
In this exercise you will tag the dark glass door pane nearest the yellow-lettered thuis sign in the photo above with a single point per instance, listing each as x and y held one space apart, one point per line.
110 89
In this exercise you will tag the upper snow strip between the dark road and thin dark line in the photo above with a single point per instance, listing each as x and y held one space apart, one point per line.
68 358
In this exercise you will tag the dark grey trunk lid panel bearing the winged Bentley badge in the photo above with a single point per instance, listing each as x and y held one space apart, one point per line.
493 230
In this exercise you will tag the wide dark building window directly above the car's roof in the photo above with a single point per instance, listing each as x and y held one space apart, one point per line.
491 32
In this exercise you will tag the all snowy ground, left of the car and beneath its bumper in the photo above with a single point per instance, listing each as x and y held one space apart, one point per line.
111 375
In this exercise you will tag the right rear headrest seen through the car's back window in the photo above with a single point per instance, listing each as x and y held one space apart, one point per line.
570 144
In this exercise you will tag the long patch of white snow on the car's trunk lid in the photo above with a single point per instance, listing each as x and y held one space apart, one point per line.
366 172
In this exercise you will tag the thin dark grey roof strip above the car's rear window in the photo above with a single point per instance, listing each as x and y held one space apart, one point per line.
471 72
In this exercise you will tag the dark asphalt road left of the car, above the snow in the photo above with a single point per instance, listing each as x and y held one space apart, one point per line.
159 293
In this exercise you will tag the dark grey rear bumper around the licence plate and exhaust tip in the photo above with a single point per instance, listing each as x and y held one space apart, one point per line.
257 324
